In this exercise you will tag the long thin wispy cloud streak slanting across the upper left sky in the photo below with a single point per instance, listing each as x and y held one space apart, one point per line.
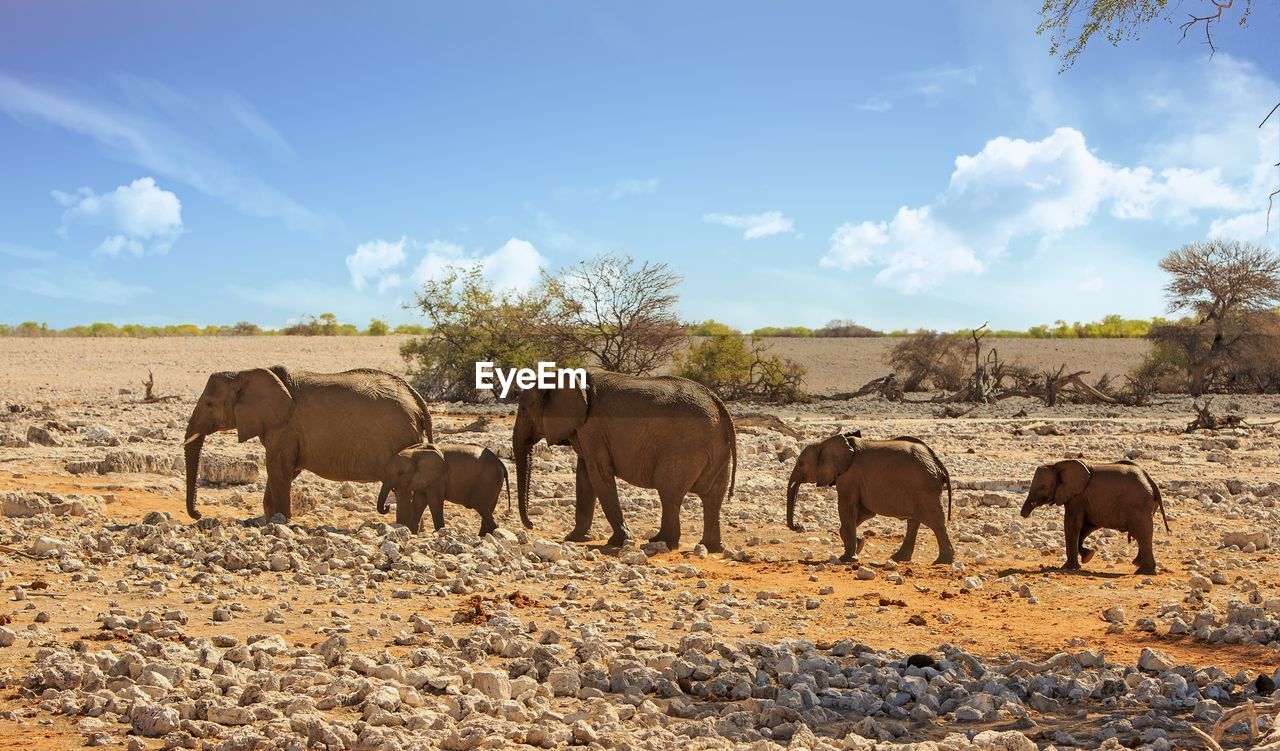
157 146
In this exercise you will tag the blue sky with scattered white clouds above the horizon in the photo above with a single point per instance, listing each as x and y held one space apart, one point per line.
900 166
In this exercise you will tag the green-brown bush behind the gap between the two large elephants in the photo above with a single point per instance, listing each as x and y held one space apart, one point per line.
472 323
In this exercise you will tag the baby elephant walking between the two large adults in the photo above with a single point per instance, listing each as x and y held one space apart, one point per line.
427 475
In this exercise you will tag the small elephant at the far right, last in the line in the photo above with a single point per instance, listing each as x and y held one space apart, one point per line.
1116 497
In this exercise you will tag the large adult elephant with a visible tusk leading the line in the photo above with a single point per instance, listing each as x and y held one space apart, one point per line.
341 427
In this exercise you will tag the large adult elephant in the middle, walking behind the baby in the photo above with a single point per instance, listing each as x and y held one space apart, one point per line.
665 433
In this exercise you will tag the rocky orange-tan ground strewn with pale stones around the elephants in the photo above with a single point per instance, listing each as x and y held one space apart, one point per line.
127 625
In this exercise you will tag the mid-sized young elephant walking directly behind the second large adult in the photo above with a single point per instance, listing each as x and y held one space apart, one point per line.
900 478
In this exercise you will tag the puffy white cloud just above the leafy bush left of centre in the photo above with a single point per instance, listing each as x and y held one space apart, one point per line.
383 264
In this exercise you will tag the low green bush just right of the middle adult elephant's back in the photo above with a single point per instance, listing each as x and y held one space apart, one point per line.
732 369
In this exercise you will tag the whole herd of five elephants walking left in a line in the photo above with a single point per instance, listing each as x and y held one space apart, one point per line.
664 433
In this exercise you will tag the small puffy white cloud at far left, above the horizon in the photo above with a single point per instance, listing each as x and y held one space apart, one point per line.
143 218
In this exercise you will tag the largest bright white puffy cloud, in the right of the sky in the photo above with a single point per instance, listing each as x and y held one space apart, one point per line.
1021 190
